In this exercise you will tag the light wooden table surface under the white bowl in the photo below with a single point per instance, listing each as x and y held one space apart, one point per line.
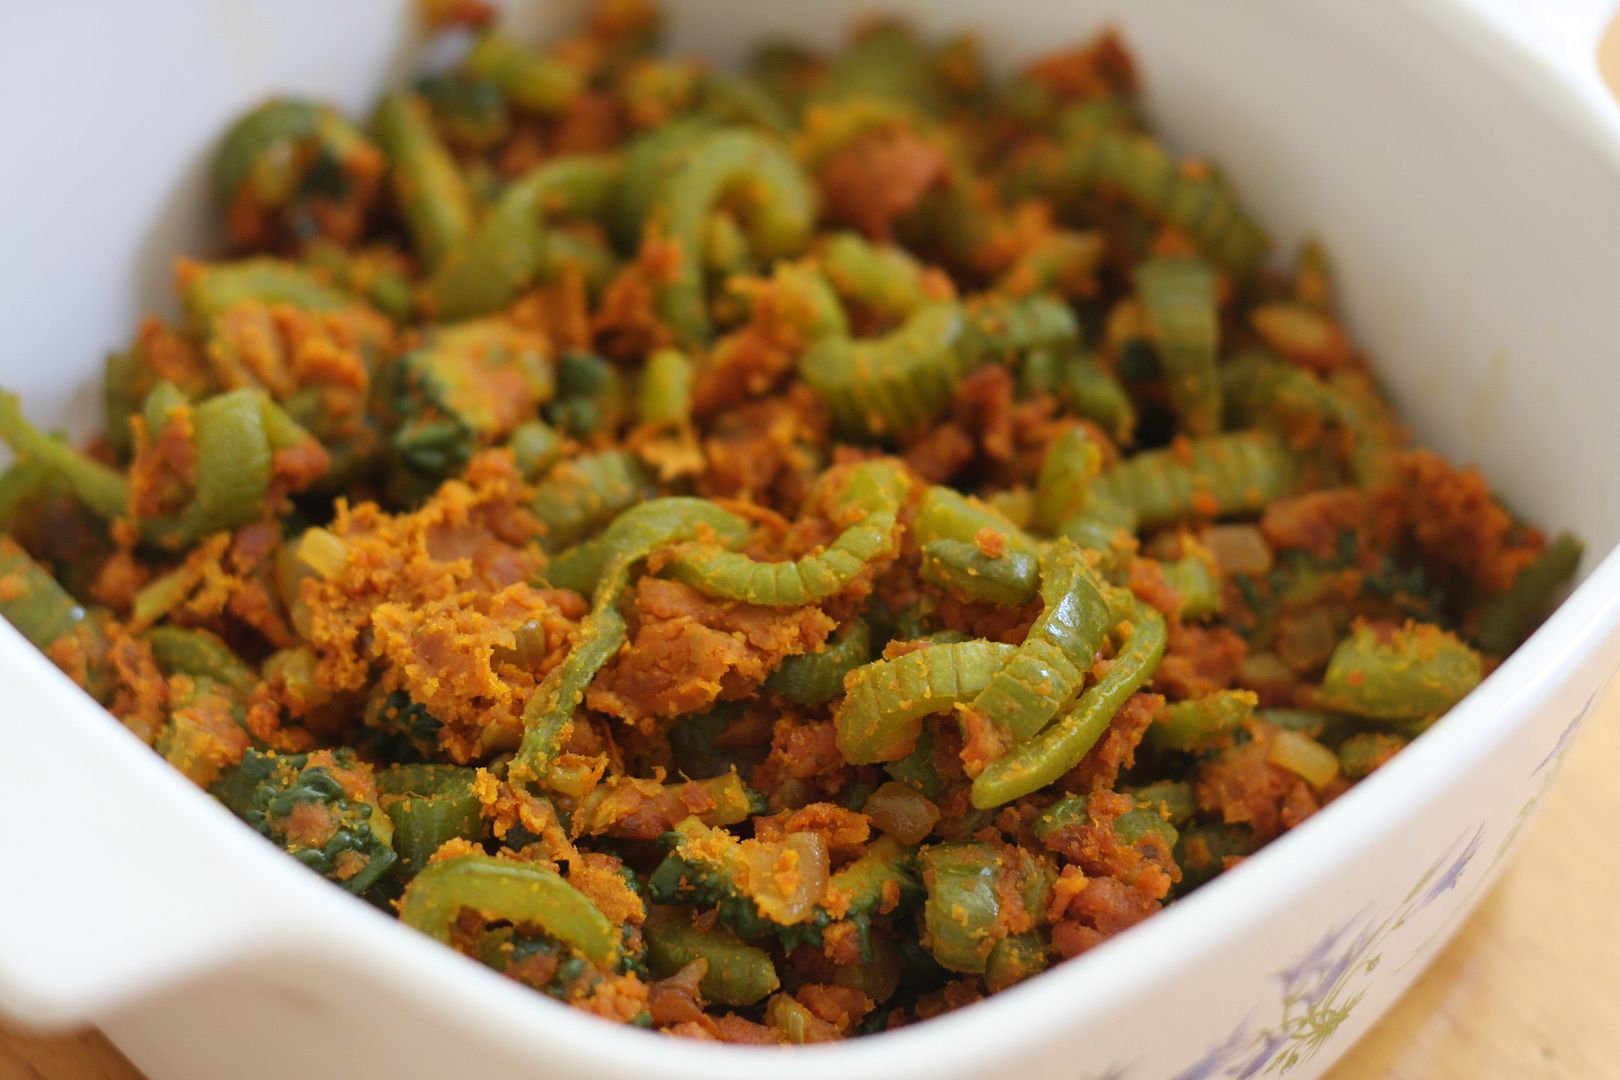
1527 992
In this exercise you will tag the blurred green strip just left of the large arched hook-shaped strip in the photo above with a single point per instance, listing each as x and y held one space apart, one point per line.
509 249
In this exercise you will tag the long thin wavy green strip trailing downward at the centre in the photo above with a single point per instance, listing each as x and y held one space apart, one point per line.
629 540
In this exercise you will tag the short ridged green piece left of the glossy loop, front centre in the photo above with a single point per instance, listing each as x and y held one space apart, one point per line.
885 702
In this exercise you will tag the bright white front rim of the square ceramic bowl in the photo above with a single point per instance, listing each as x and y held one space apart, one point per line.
318 922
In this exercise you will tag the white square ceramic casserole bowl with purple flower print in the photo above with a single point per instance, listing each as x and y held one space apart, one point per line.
1464 168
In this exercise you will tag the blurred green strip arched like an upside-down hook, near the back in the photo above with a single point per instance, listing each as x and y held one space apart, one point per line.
770 193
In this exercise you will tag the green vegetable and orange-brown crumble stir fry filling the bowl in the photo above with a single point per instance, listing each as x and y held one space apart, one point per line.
767 558
